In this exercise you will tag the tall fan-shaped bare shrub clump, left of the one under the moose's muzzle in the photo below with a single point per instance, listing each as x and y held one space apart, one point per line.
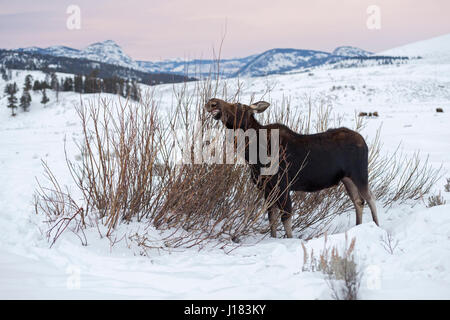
118 173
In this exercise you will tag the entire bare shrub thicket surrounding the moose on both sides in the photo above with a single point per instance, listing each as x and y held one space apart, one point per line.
126 172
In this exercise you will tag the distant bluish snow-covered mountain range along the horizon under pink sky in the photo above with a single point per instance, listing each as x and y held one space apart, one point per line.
274 61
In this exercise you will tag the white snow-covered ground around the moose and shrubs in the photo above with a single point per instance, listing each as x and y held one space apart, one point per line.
405 96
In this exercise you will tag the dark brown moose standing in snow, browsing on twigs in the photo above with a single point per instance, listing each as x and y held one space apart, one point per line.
309 162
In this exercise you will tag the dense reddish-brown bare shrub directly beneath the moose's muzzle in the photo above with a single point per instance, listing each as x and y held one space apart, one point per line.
209 200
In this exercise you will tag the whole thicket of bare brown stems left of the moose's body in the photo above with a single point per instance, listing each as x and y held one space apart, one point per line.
127 173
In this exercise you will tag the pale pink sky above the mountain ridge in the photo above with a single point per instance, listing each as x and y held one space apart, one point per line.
160 29
